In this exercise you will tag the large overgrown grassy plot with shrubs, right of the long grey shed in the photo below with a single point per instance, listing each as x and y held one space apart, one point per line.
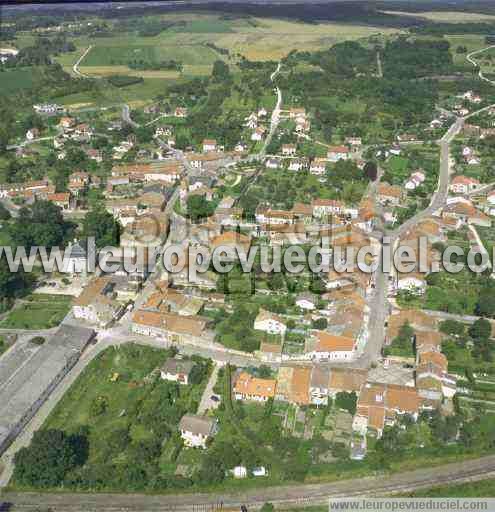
130 416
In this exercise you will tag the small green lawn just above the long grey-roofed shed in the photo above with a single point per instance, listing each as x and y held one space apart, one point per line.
38 312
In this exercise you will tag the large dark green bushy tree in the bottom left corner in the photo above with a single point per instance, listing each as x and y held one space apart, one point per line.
49 457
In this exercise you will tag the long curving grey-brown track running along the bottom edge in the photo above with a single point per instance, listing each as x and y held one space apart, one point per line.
294 495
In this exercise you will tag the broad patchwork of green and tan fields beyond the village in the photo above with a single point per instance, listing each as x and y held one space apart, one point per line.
254 38
